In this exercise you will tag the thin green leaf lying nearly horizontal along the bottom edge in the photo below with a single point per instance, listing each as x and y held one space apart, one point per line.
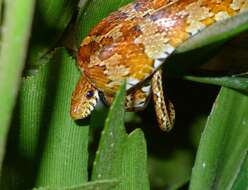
100 184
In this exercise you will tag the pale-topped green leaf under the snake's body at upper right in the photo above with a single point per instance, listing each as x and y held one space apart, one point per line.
217 32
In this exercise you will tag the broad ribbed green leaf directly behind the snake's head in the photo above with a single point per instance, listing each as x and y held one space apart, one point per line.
64 156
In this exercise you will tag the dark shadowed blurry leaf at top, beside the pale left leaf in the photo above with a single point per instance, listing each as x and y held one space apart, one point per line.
50 22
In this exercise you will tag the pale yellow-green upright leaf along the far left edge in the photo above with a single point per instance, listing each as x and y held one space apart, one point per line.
14 42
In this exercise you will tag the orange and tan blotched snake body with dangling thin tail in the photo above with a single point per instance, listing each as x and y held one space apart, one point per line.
132 43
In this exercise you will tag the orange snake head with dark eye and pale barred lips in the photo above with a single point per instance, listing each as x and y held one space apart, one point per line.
84 99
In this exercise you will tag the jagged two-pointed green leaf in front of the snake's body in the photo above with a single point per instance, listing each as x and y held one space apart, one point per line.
120 155
